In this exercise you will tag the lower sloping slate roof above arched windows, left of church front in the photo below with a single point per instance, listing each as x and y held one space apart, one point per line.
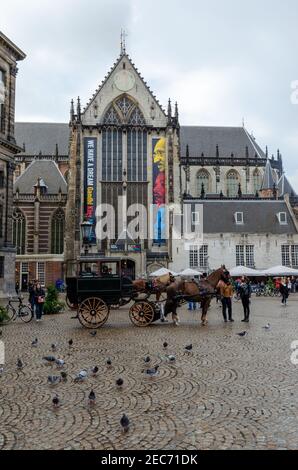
47 170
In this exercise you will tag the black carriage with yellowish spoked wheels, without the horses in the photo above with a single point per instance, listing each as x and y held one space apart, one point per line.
101 284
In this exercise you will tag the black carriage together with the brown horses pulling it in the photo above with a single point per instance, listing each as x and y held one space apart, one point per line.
101 284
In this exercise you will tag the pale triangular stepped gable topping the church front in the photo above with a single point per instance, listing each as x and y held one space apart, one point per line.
124 98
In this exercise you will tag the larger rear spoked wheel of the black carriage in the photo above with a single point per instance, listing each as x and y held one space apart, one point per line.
93 312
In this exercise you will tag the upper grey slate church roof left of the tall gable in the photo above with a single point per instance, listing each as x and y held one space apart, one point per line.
42 137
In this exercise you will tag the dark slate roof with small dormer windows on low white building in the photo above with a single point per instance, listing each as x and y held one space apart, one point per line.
259 216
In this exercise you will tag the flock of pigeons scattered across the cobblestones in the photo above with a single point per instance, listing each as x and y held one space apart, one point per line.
54 380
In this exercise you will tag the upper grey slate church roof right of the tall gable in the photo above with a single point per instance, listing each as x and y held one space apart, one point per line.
204 139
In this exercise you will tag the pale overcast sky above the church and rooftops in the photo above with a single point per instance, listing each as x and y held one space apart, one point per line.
222 60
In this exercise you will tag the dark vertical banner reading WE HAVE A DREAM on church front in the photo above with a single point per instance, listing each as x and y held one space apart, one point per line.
90 158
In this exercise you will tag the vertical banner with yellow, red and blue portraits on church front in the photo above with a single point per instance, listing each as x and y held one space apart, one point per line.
159 189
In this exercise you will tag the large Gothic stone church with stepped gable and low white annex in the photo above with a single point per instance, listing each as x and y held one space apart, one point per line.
123 152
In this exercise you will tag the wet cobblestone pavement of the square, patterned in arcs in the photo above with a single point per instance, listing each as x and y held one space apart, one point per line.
230 393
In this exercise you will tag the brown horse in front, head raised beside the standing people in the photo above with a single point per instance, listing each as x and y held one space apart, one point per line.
201 291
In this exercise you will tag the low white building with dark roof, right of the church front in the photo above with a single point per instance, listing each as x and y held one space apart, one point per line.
254 233
